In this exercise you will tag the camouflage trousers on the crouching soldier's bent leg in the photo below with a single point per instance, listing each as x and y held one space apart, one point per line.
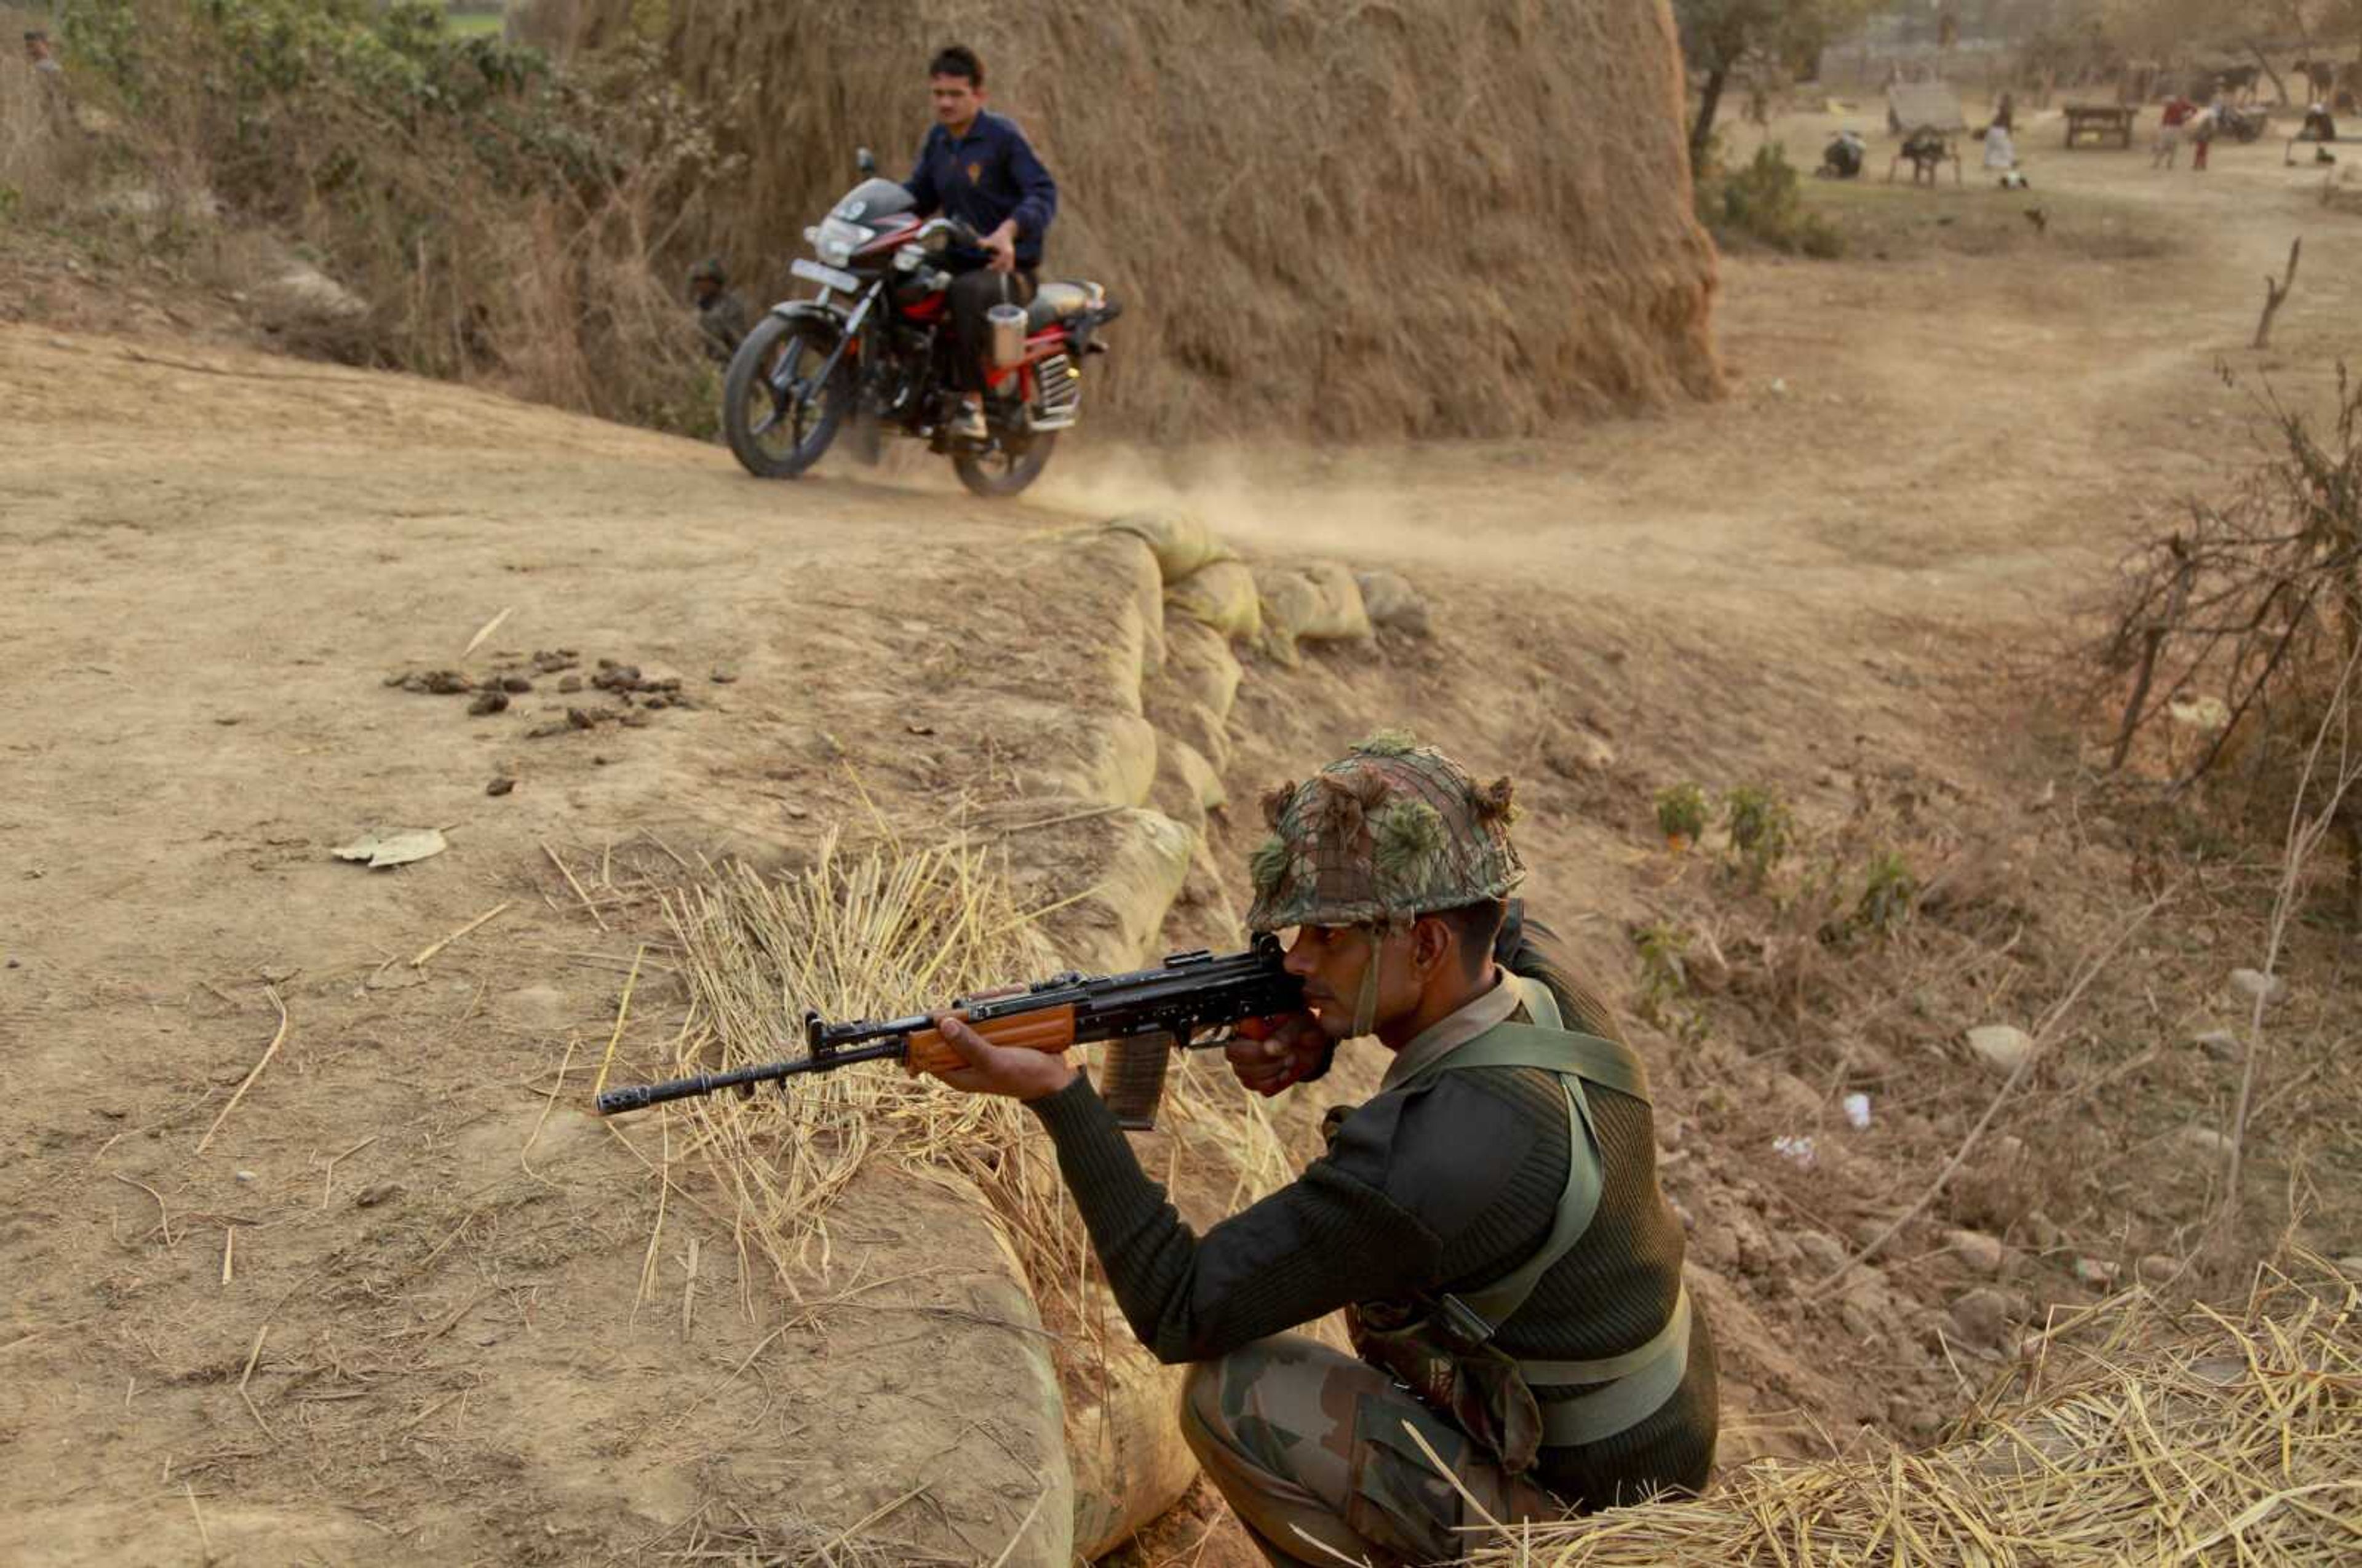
1307 1442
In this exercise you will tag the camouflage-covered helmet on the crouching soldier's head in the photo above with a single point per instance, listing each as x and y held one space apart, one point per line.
1388 832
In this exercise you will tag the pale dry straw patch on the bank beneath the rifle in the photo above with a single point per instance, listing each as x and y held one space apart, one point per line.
870 934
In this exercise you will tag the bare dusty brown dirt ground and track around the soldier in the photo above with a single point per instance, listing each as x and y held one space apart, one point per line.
443 1328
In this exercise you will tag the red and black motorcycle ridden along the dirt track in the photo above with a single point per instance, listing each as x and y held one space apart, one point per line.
875 346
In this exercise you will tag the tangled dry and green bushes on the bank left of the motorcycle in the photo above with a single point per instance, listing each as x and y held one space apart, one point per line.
495 216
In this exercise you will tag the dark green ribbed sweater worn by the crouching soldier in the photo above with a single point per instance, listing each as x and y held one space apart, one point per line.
1437 1187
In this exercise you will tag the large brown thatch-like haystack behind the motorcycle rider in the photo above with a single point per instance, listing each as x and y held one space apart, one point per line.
1326 218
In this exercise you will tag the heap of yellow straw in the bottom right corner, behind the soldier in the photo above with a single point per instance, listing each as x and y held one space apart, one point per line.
2125 1437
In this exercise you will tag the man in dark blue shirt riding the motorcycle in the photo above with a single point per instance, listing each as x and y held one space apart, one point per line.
979 169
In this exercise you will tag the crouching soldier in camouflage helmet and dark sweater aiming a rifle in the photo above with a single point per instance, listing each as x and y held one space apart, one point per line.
1489 1222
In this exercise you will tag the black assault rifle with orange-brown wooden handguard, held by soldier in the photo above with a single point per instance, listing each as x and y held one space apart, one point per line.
1194 1000
